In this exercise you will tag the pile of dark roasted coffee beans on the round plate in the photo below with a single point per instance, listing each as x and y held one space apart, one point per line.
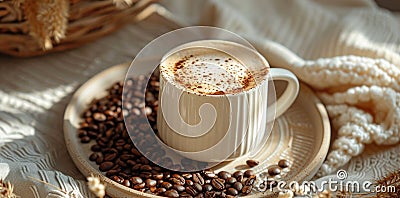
121 161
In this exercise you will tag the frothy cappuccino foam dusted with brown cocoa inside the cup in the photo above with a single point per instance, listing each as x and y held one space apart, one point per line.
209 71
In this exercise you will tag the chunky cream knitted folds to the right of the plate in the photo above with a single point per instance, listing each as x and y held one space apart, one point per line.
362 96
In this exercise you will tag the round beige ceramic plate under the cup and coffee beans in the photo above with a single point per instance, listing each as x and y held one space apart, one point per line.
301 135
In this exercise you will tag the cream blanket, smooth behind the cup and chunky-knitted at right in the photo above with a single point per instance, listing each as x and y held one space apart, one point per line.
358 81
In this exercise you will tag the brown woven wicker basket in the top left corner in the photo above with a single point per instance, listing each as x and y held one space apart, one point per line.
85 21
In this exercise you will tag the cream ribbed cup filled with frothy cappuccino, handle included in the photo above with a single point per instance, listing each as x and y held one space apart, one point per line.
213 99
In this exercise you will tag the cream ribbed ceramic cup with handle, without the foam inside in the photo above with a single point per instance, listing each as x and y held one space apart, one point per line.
214 128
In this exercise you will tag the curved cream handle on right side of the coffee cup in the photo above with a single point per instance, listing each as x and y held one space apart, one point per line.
290 94
